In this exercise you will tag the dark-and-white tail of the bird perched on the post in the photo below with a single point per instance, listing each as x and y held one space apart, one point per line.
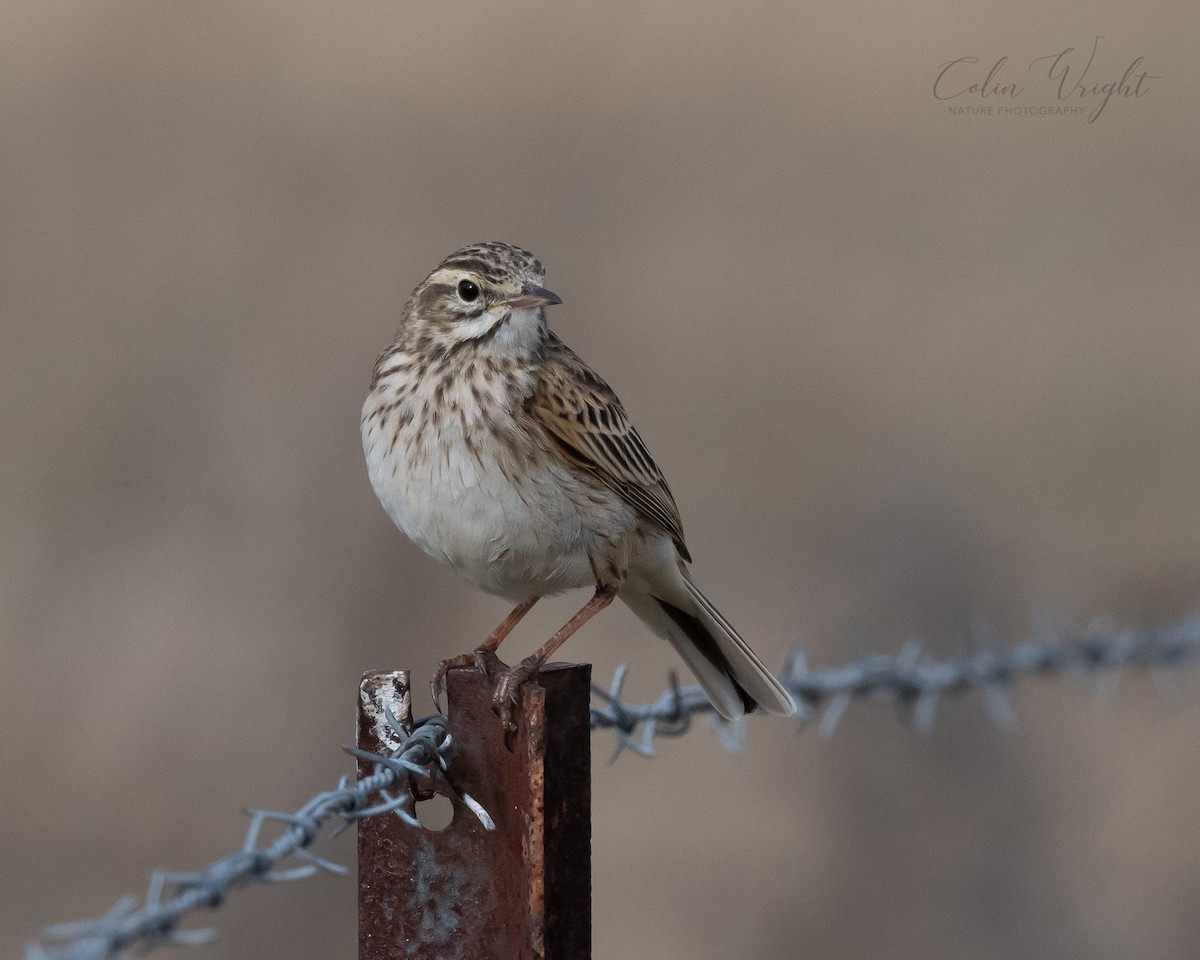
731 675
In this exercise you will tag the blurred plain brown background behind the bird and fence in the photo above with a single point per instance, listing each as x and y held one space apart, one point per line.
904 370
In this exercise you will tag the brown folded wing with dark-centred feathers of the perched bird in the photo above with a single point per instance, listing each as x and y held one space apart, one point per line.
585 418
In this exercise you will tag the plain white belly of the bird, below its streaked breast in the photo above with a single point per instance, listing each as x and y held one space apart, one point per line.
523 533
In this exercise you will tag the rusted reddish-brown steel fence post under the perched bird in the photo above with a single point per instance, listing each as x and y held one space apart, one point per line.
521 892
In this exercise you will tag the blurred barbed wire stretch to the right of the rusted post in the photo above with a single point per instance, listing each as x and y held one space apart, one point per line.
910 679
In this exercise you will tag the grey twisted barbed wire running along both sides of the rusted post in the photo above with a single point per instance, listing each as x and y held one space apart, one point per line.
913 680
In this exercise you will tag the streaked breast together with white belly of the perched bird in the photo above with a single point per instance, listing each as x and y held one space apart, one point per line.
467 477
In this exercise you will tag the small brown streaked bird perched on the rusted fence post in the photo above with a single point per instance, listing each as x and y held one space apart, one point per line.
505 457
